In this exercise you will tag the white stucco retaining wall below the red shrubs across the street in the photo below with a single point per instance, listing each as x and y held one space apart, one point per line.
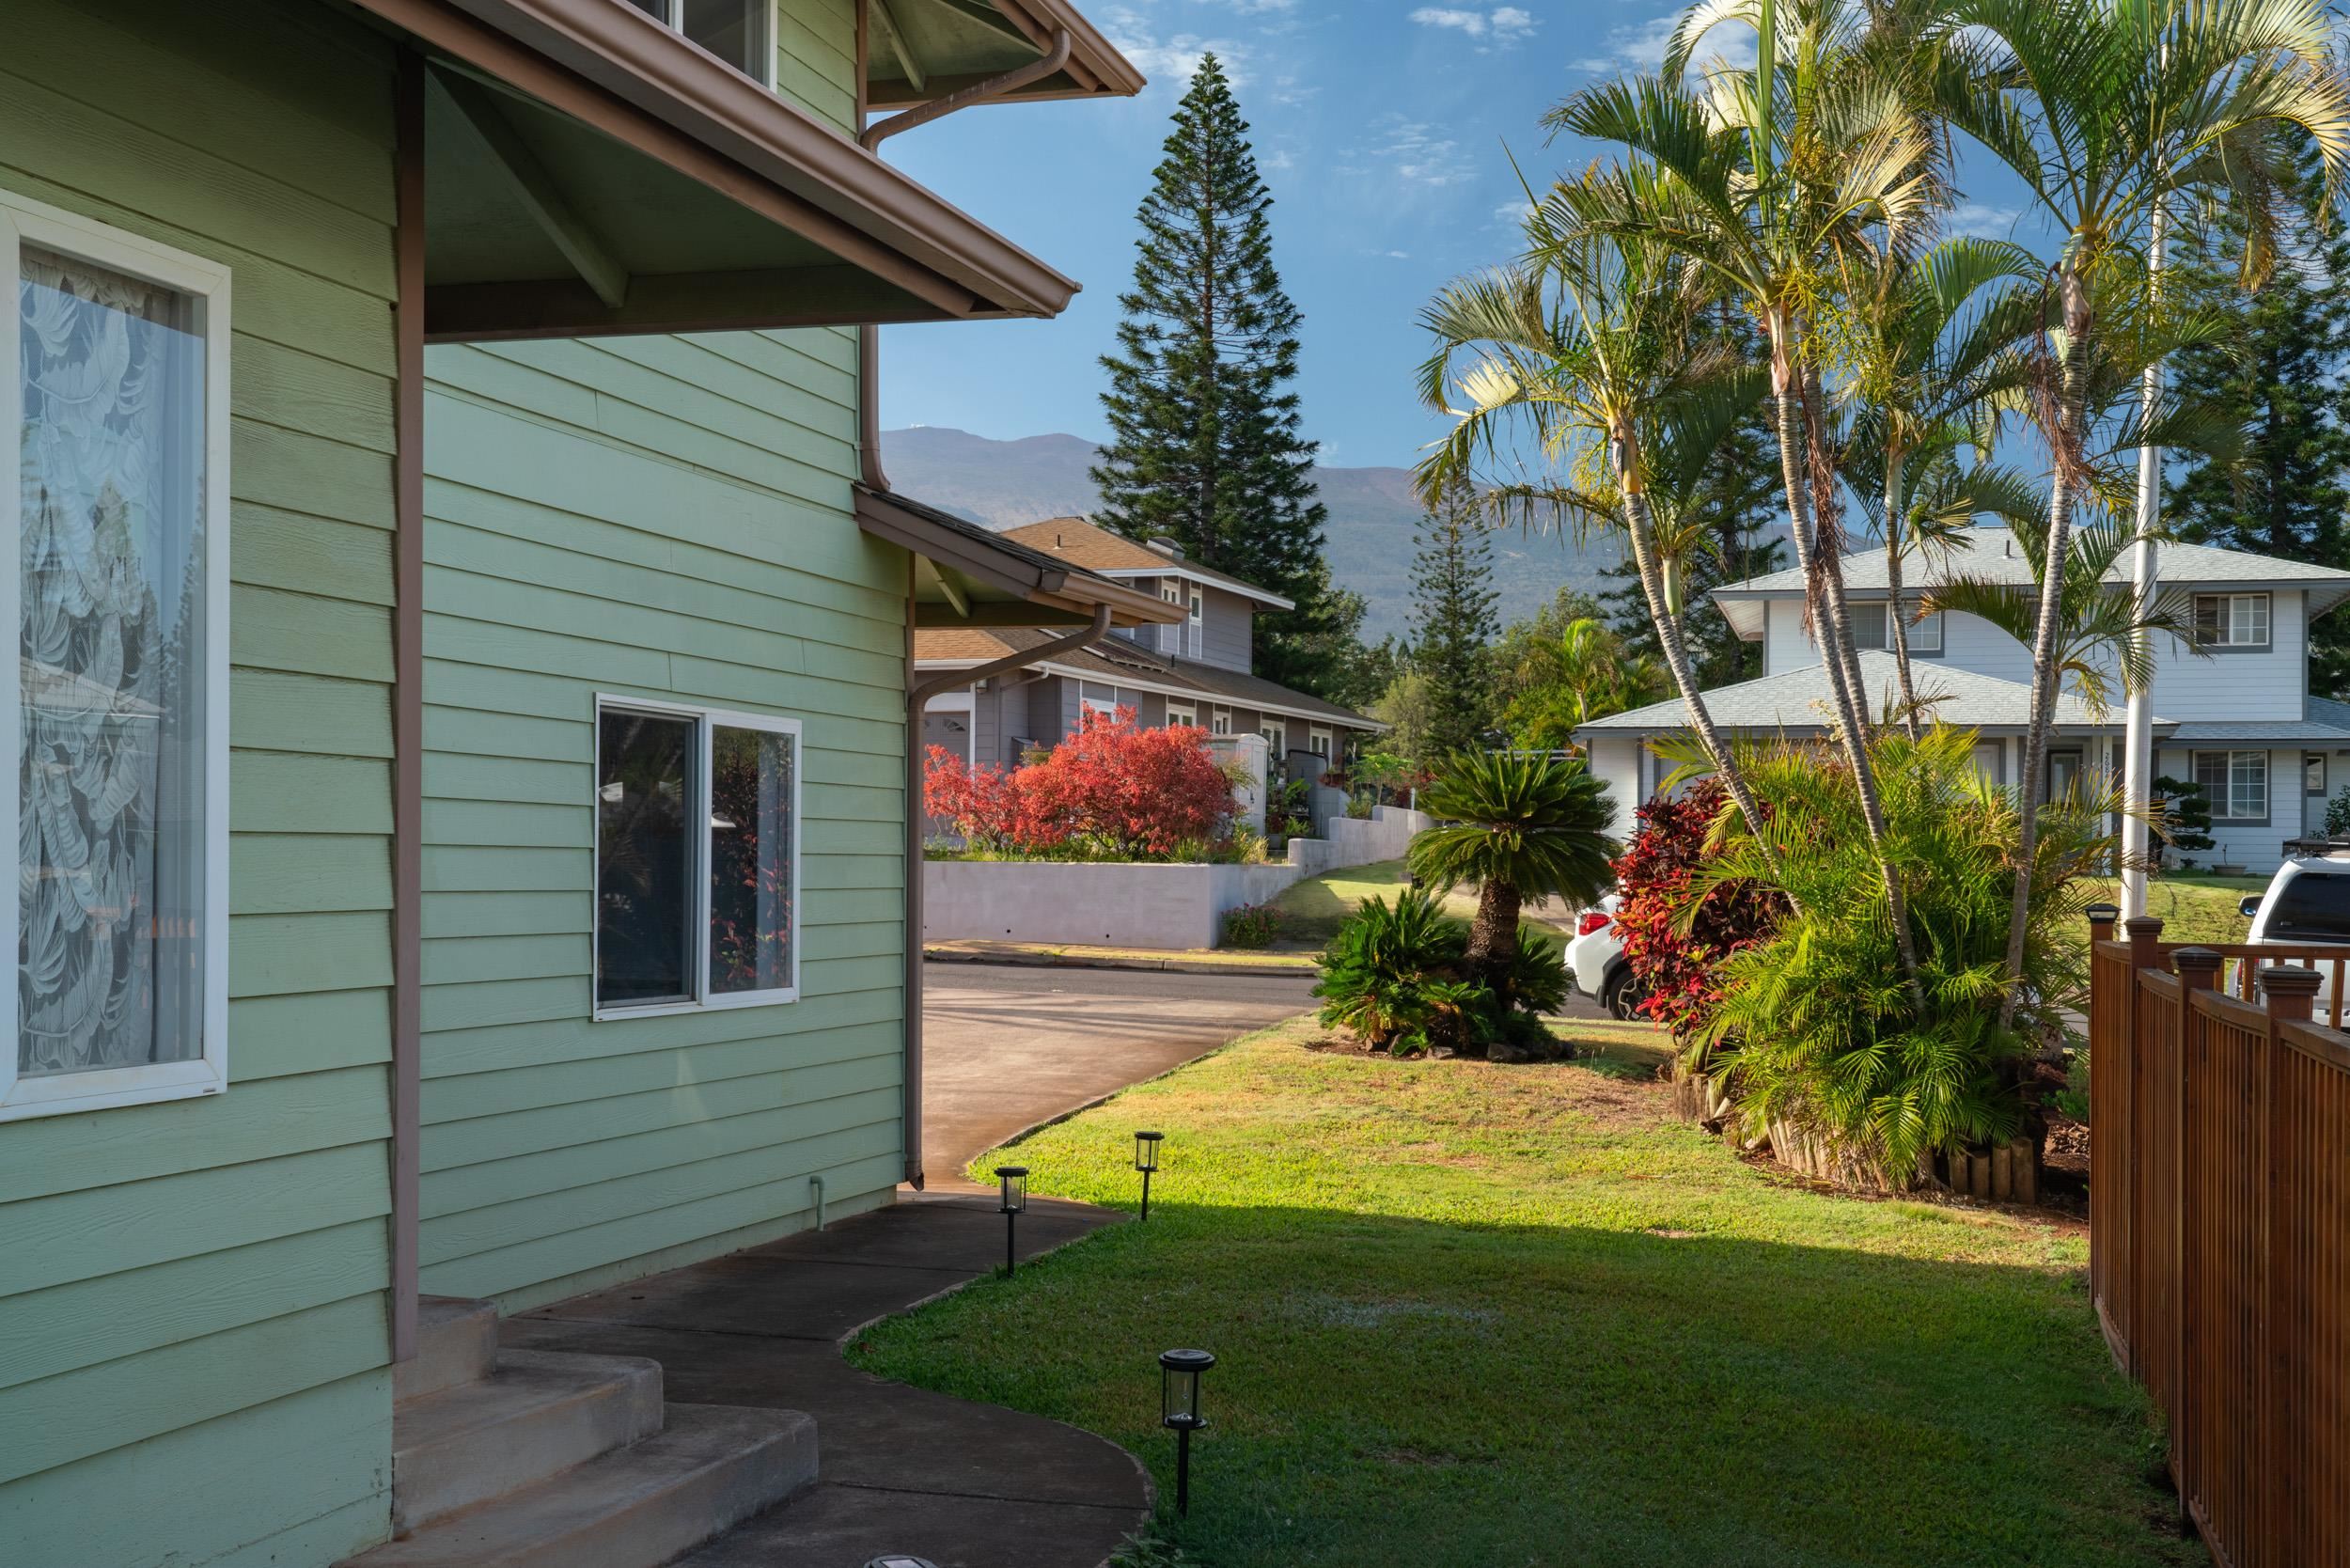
1136 906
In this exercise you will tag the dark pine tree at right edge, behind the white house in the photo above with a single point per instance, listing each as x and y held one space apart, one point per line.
2283 373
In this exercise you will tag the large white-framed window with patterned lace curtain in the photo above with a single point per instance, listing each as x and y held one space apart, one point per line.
114 497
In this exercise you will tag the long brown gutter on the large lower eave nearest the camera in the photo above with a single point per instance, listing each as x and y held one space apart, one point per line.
629 76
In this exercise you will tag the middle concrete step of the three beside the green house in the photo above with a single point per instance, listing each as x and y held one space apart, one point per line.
532 1419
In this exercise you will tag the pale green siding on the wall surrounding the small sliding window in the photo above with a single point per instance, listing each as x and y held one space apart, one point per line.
657 518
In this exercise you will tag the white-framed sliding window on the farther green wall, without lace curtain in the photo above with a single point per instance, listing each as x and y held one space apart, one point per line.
697 859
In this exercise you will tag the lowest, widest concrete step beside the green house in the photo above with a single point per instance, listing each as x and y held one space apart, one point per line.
633 1508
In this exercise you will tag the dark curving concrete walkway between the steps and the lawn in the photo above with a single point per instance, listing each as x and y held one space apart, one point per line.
899 1468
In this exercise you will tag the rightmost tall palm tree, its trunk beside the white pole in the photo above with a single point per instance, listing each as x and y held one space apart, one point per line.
2111 112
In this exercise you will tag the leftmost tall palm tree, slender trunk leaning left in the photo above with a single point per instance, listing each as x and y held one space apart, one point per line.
1590 349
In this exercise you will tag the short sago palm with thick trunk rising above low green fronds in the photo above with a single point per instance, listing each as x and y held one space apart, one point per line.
1519 826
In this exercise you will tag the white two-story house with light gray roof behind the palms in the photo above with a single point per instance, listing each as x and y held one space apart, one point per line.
2236 716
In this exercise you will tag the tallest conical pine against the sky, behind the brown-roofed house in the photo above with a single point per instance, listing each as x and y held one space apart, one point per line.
1207 441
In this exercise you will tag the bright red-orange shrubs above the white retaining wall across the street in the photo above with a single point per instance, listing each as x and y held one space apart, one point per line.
1113 789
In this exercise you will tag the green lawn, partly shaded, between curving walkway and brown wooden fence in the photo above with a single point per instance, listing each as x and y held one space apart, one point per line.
1479 1315
